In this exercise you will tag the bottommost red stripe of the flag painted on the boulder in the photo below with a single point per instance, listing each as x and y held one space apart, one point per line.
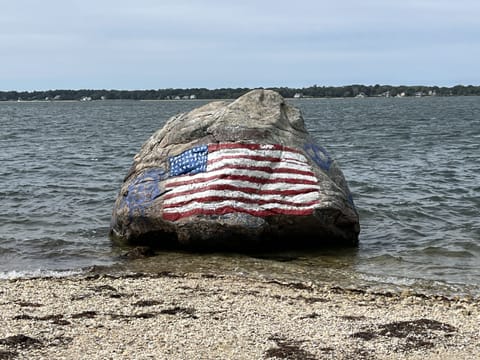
230 209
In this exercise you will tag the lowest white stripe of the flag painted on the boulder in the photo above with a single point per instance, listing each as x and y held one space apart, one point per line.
299 199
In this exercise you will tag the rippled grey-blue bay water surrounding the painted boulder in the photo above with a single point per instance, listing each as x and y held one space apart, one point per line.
413 165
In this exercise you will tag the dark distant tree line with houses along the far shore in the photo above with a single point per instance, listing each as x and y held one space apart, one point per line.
233 93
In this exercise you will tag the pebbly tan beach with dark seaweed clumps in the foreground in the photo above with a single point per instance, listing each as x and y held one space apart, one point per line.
199 316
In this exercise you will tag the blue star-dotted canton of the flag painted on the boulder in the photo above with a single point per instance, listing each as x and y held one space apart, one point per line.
192 161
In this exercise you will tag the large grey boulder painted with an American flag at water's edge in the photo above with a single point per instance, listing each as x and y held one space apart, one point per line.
244 175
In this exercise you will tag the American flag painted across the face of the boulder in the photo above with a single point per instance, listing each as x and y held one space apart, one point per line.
261 180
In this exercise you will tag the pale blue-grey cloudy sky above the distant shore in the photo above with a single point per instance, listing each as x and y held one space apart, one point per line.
147 44
